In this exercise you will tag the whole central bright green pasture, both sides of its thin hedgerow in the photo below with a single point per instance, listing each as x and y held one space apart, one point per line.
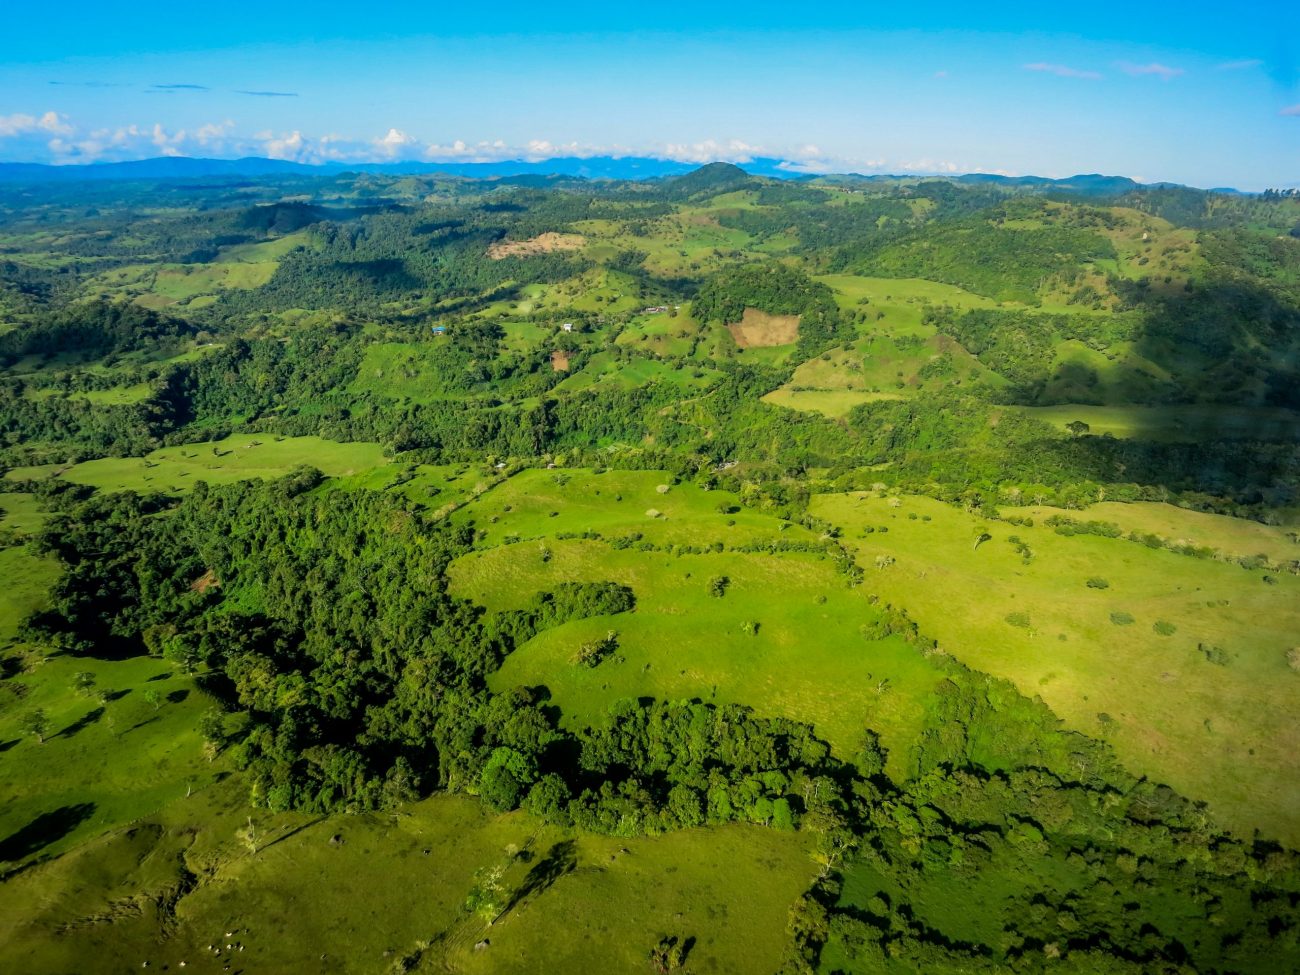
681 642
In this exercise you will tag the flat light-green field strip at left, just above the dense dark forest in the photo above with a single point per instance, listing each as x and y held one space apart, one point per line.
232 460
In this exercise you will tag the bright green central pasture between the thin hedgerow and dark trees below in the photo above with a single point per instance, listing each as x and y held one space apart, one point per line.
809 660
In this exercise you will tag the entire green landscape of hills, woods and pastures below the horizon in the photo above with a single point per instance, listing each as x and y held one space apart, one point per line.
946 623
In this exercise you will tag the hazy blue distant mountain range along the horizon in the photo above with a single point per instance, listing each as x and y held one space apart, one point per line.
567 167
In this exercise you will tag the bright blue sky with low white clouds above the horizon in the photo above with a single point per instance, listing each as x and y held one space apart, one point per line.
1193 93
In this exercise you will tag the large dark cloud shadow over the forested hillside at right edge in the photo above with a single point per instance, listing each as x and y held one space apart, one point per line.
1210 405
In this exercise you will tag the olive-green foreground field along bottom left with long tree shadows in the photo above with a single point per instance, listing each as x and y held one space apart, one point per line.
387 890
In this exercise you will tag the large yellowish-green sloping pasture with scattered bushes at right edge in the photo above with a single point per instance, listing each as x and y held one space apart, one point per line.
1216 726
